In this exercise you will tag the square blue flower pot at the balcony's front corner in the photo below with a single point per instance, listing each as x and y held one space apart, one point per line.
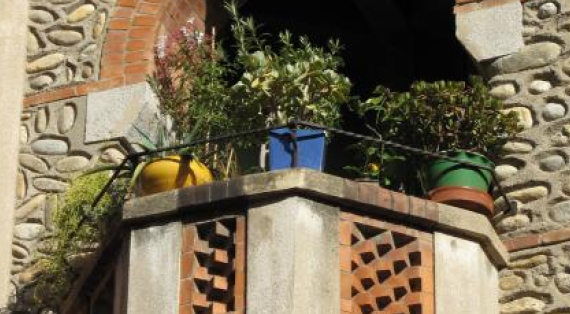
310 149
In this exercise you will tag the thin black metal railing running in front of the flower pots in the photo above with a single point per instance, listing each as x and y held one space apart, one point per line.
133 157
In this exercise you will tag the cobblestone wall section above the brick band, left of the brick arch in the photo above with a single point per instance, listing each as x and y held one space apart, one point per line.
64 41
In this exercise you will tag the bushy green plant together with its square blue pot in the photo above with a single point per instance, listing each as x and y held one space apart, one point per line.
289 80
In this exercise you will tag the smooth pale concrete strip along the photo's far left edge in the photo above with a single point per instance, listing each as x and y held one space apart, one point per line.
13 25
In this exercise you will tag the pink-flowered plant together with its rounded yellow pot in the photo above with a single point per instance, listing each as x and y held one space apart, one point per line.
193 94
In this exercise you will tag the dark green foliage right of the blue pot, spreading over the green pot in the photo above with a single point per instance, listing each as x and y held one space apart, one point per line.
437 117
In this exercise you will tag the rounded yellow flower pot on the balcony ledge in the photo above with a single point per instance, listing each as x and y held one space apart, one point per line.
172 172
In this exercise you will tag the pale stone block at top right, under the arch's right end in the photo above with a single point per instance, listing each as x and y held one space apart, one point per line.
491 32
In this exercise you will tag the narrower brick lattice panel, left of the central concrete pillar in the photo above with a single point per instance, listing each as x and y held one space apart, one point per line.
213 267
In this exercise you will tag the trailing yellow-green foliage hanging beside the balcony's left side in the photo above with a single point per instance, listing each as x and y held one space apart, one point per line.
78 228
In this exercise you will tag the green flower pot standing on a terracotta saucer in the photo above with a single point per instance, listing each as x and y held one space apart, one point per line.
448 173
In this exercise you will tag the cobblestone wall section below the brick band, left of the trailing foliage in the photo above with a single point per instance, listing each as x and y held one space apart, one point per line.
52 151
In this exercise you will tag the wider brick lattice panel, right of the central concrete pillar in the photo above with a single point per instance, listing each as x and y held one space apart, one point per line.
385 268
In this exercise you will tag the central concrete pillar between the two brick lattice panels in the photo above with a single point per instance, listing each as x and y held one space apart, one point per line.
293 258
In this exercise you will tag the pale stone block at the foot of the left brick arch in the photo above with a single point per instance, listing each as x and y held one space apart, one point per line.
113 113
